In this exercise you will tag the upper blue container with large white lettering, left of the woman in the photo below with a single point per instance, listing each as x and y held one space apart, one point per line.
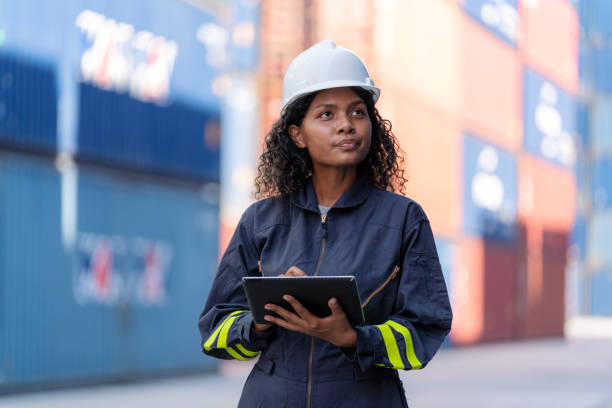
128 113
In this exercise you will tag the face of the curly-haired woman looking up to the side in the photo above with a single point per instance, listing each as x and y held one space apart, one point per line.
336 129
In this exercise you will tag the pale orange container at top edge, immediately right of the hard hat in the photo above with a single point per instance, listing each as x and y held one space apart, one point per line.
417 48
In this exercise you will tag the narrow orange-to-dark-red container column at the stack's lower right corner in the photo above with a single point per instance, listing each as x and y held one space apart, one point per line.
547 207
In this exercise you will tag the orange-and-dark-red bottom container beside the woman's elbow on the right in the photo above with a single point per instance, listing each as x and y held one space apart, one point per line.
484 292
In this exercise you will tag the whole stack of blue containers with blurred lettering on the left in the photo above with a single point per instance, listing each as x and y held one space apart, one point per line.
109 128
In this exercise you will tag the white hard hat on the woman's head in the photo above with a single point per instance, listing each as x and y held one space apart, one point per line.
322 66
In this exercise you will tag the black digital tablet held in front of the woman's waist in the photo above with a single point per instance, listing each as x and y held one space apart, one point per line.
311 291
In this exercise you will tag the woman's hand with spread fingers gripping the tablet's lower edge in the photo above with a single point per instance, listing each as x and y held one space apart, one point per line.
335 329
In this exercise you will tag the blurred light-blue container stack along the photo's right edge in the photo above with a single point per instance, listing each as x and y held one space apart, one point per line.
594 271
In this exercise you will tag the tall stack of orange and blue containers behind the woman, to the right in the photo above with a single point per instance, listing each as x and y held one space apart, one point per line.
481 97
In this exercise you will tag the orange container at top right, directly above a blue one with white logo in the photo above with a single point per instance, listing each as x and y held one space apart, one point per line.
549 39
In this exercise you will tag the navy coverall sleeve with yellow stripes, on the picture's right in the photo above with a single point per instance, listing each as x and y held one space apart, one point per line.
422 315
